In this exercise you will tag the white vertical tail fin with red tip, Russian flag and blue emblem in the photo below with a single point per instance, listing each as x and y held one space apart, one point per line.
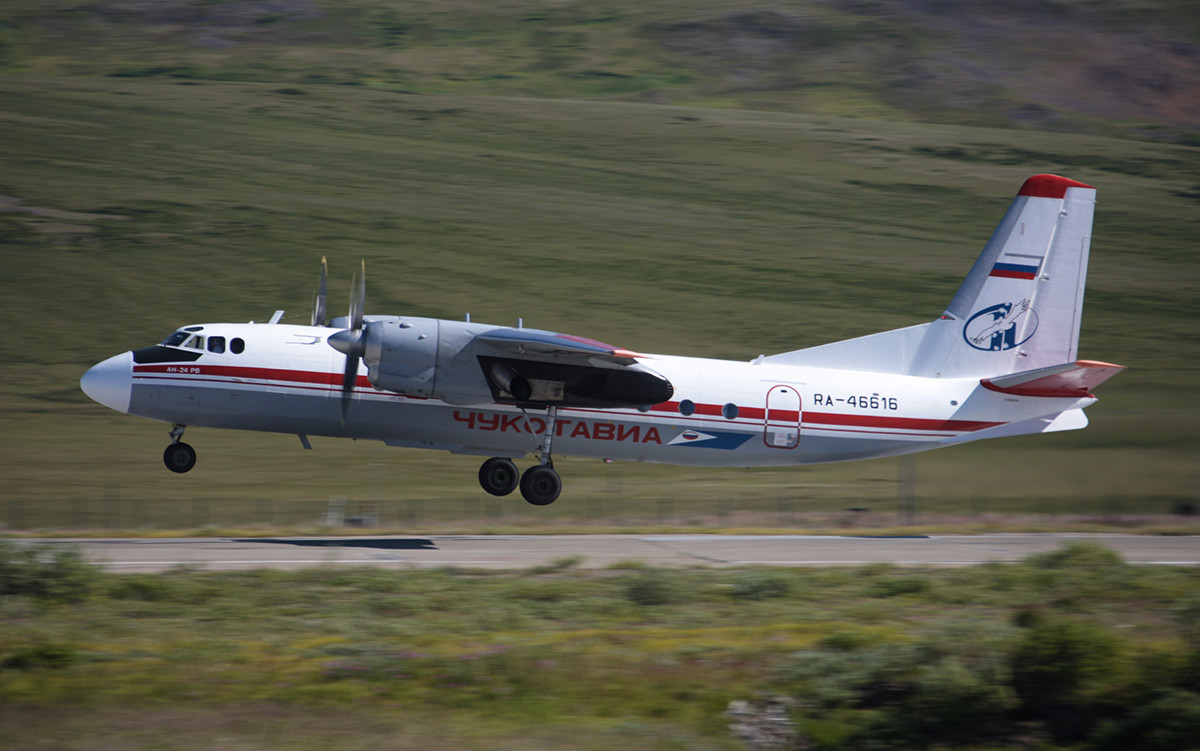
1018 310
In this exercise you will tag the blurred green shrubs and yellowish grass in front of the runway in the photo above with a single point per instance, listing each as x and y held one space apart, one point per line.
1069 650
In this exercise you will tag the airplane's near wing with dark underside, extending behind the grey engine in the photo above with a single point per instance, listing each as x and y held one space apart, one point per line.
535 368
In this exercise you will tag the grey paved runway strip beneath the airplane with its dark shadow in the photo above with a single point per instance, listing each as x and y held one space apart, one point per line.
602 551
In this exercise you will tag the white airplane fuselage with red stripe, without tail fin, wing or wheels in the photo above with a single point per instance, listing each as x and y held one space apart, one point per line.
287 380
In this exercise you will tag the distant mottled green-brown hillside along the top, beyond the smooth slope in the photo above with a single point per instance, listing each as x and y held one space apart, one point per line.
1125 67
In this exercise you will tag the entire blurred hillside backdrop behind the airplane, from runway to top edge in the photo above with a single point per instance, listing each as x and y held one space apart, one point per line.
703 179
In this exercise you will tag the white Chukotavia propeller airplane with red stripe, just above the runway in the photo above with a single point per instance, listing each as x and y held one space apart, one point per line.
1001 361
